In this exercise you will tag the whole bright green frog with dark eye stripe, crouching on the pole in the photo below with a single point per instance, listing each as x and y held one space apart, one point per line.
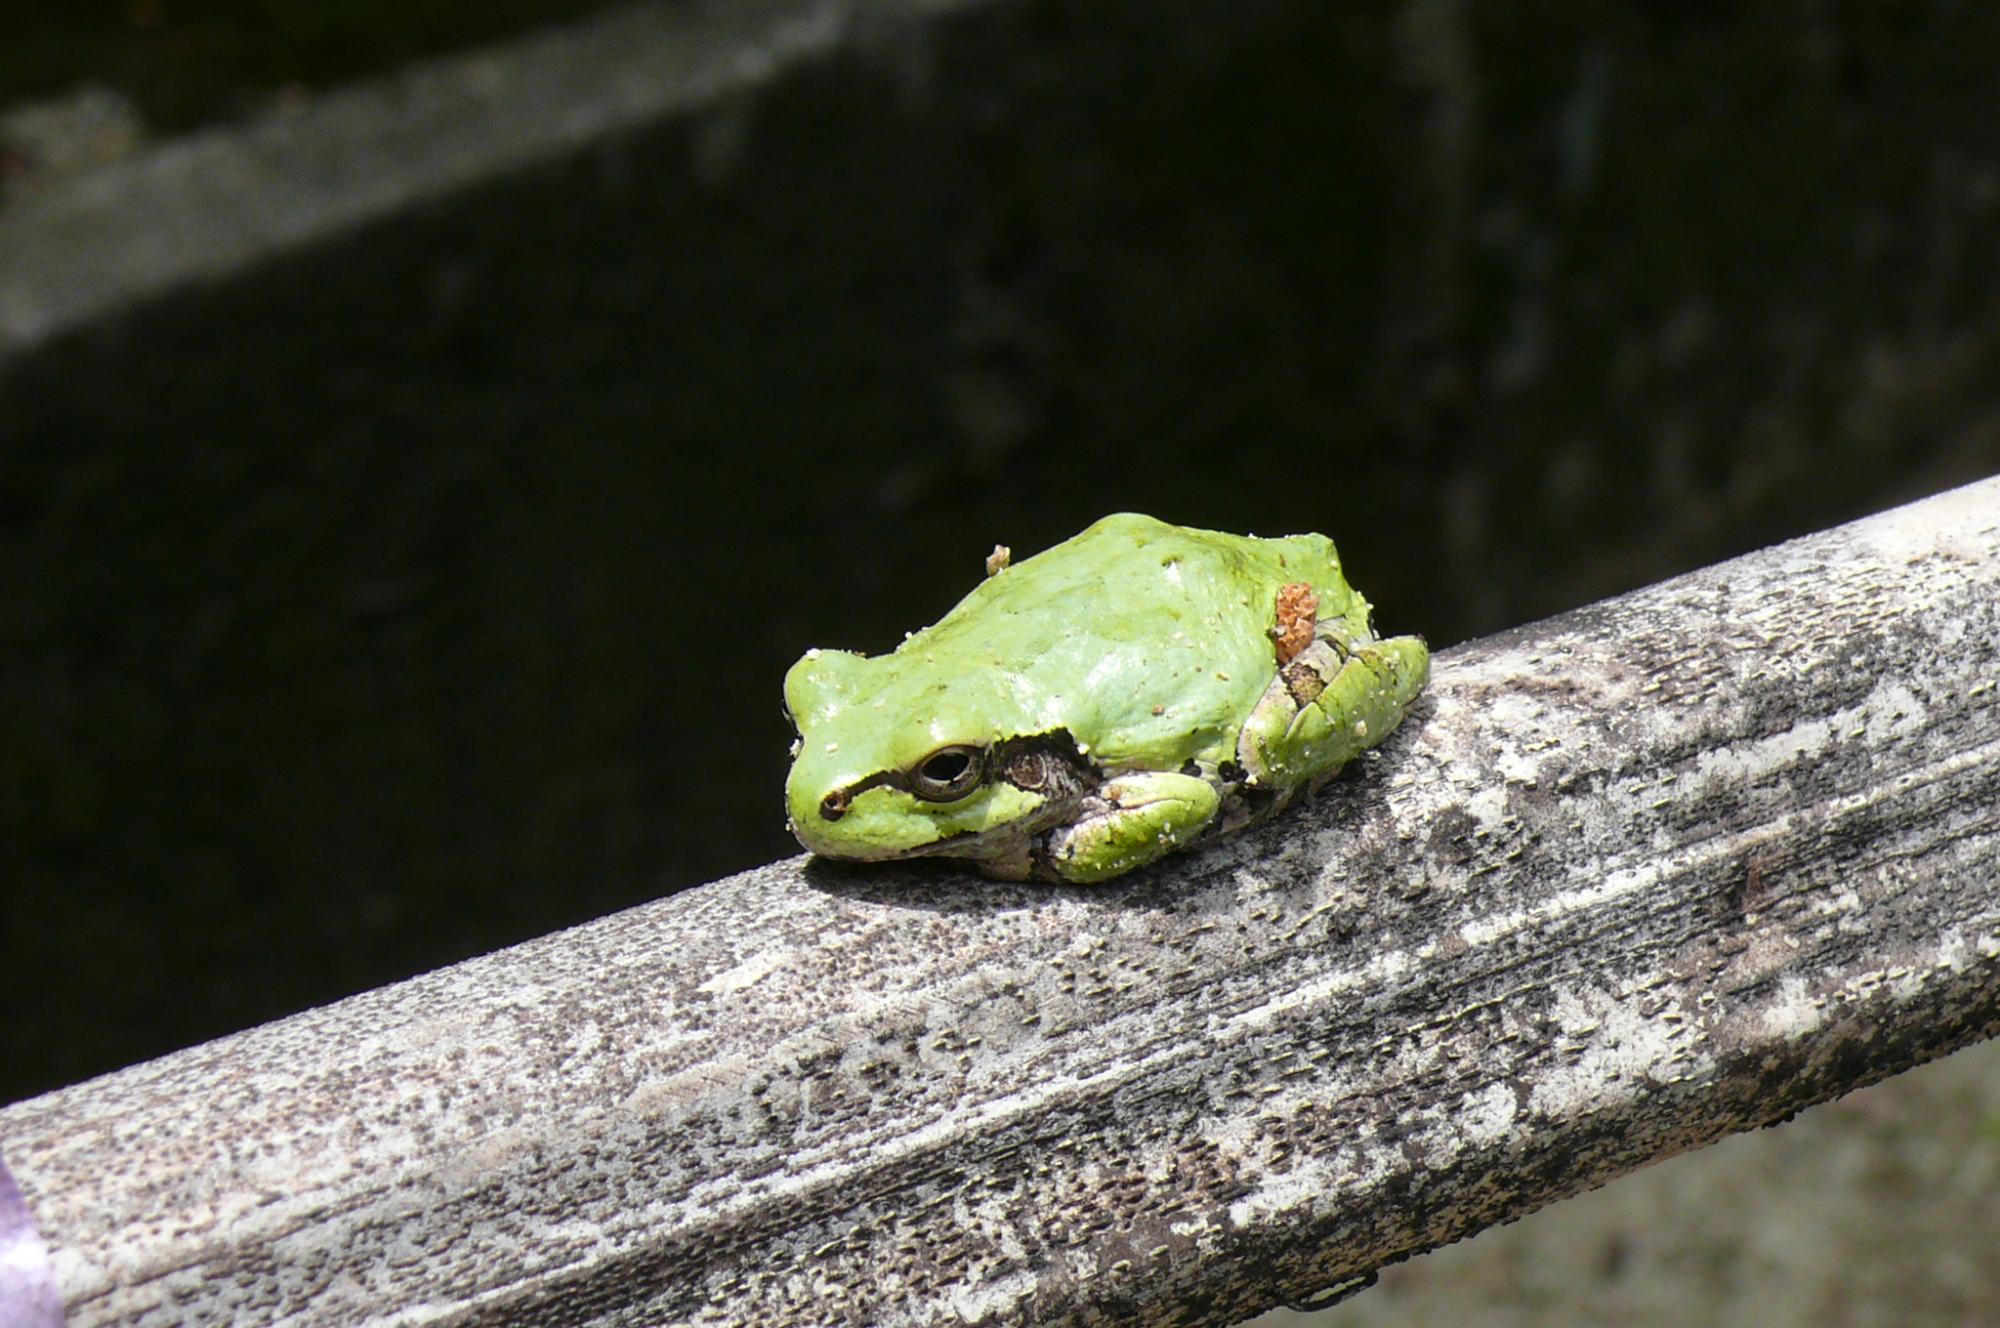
1113 699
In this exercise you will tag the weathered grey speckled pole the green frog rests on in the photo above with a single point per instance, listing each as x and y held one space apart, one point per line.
1629 881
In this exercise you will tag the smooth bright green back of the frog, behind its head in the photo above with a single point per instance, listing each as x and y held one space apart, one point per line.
1153 637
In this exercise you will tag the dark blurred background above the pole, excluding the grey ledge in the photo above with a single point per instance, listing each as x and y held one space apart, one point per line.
429 587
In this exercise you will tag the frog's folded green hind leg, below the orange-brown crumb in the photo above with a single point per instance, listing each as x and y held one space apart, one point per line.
1329 705
